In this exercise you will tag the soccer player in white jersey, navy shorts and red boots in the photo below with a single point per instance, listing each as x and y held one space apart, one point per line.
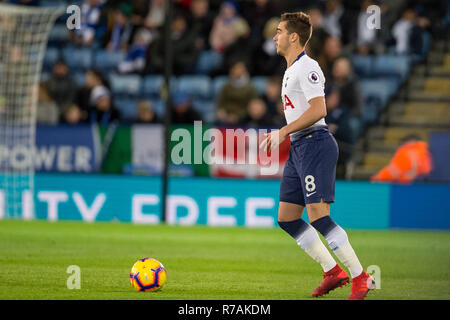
310 171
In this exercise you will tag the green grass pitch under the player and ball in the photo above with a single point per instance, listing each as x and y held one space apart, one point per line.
207 263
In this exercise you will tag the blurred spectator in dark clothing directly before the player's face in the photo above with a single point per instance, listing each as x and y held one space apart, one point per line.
265 60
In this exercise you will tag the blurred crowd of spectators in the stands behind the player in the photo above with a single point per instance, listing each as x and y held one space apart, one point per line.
231 43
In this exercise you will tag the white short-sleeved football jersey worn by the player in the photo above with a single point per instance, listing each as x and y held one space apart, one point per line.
302 81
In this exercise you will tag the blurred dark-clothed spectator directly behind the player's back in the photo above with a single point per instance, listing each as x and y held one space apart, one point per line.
345 102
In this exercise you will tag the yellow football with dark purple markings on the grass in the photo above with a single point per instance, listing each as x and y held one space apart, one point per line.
148 274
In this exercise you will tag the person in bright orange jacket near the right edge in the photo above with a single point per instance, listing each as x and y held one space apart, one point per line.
411 161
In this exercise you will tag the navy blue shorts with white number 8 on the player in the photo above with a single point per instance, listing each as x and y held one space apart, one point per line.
310 170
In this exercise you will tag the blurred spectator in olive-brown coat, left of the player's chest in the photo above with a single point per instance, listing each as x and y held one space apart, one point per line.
235 96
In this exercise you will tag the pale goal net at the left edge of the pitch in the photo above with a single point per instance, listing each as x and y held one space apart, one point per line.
24 32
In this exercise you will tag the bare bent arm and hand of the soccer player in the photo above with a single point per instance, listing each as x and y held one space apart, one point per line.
316 111
